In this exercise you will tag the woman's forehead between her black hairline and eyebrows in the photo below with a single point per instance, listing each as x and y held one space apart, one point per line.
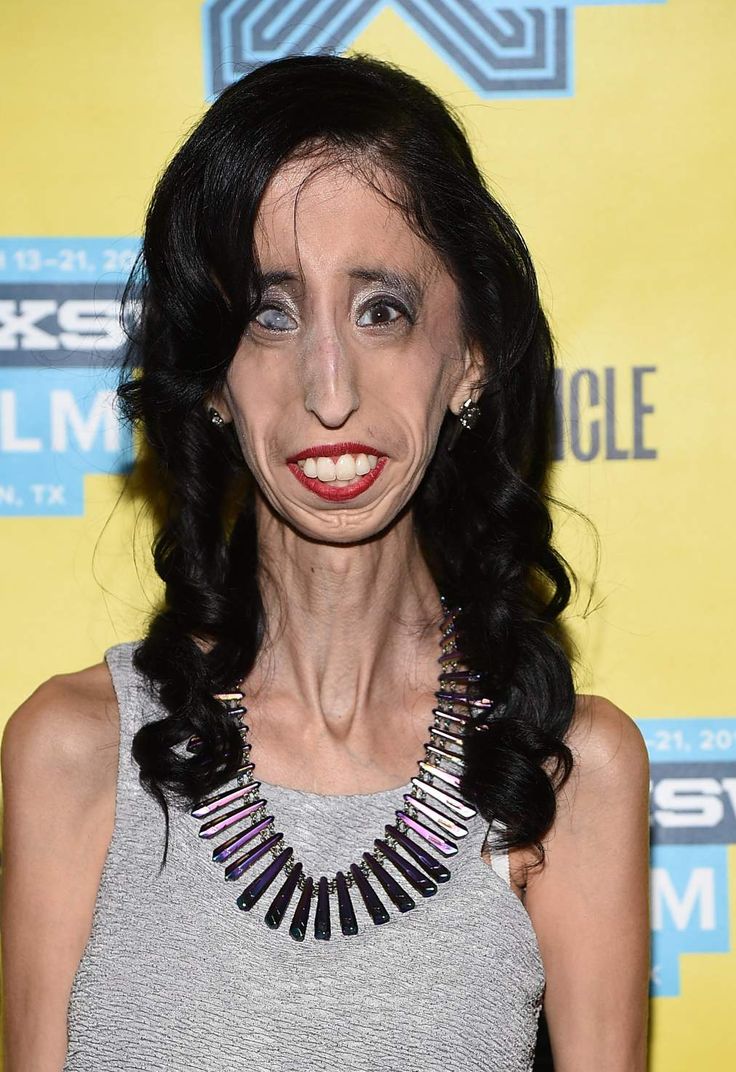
323 214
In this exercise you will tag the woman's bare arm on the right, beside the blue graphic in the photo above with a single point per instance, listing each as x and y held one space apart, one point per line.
590 904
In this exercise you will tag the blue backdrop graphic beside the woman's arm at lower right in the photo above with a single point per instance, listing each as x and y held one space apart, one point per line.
694 821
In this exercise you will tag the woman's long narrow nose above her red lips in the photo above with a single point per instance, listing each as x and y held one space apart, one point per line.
331 384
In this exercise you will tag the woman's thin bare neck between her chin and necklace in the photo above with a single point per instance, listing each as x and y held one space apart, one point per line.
352 629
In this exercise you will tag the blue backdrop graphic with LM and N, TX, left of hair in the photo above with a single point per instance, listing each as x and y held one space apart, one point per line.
61 348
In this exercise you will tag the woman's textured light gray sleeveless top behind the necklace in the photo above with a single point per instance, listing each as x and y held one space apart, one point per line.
176 977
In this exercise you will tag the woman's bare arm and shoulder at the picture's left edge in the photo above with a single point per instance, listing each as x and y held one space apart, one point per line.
59 766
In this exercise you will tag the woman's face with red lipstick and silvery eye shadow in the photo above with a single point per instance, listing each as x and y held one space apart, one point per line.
340 385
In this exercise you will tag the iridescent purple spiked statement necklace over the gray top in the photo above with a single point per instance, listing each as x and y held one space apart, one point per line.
435 793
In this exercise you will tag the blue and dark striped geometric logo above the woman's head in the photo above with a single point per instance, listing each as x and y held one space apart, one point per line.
513 49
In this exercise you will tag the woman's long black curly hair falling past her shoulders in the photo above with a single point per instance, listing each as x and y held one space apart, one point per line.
197 287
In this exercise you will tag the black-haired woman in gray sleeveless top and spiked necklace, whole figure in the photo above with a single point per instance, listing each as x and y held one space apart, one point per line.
347 385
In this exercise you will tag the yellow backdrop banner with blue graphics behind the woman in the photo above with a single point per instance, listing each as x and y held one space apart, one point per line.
606 128
